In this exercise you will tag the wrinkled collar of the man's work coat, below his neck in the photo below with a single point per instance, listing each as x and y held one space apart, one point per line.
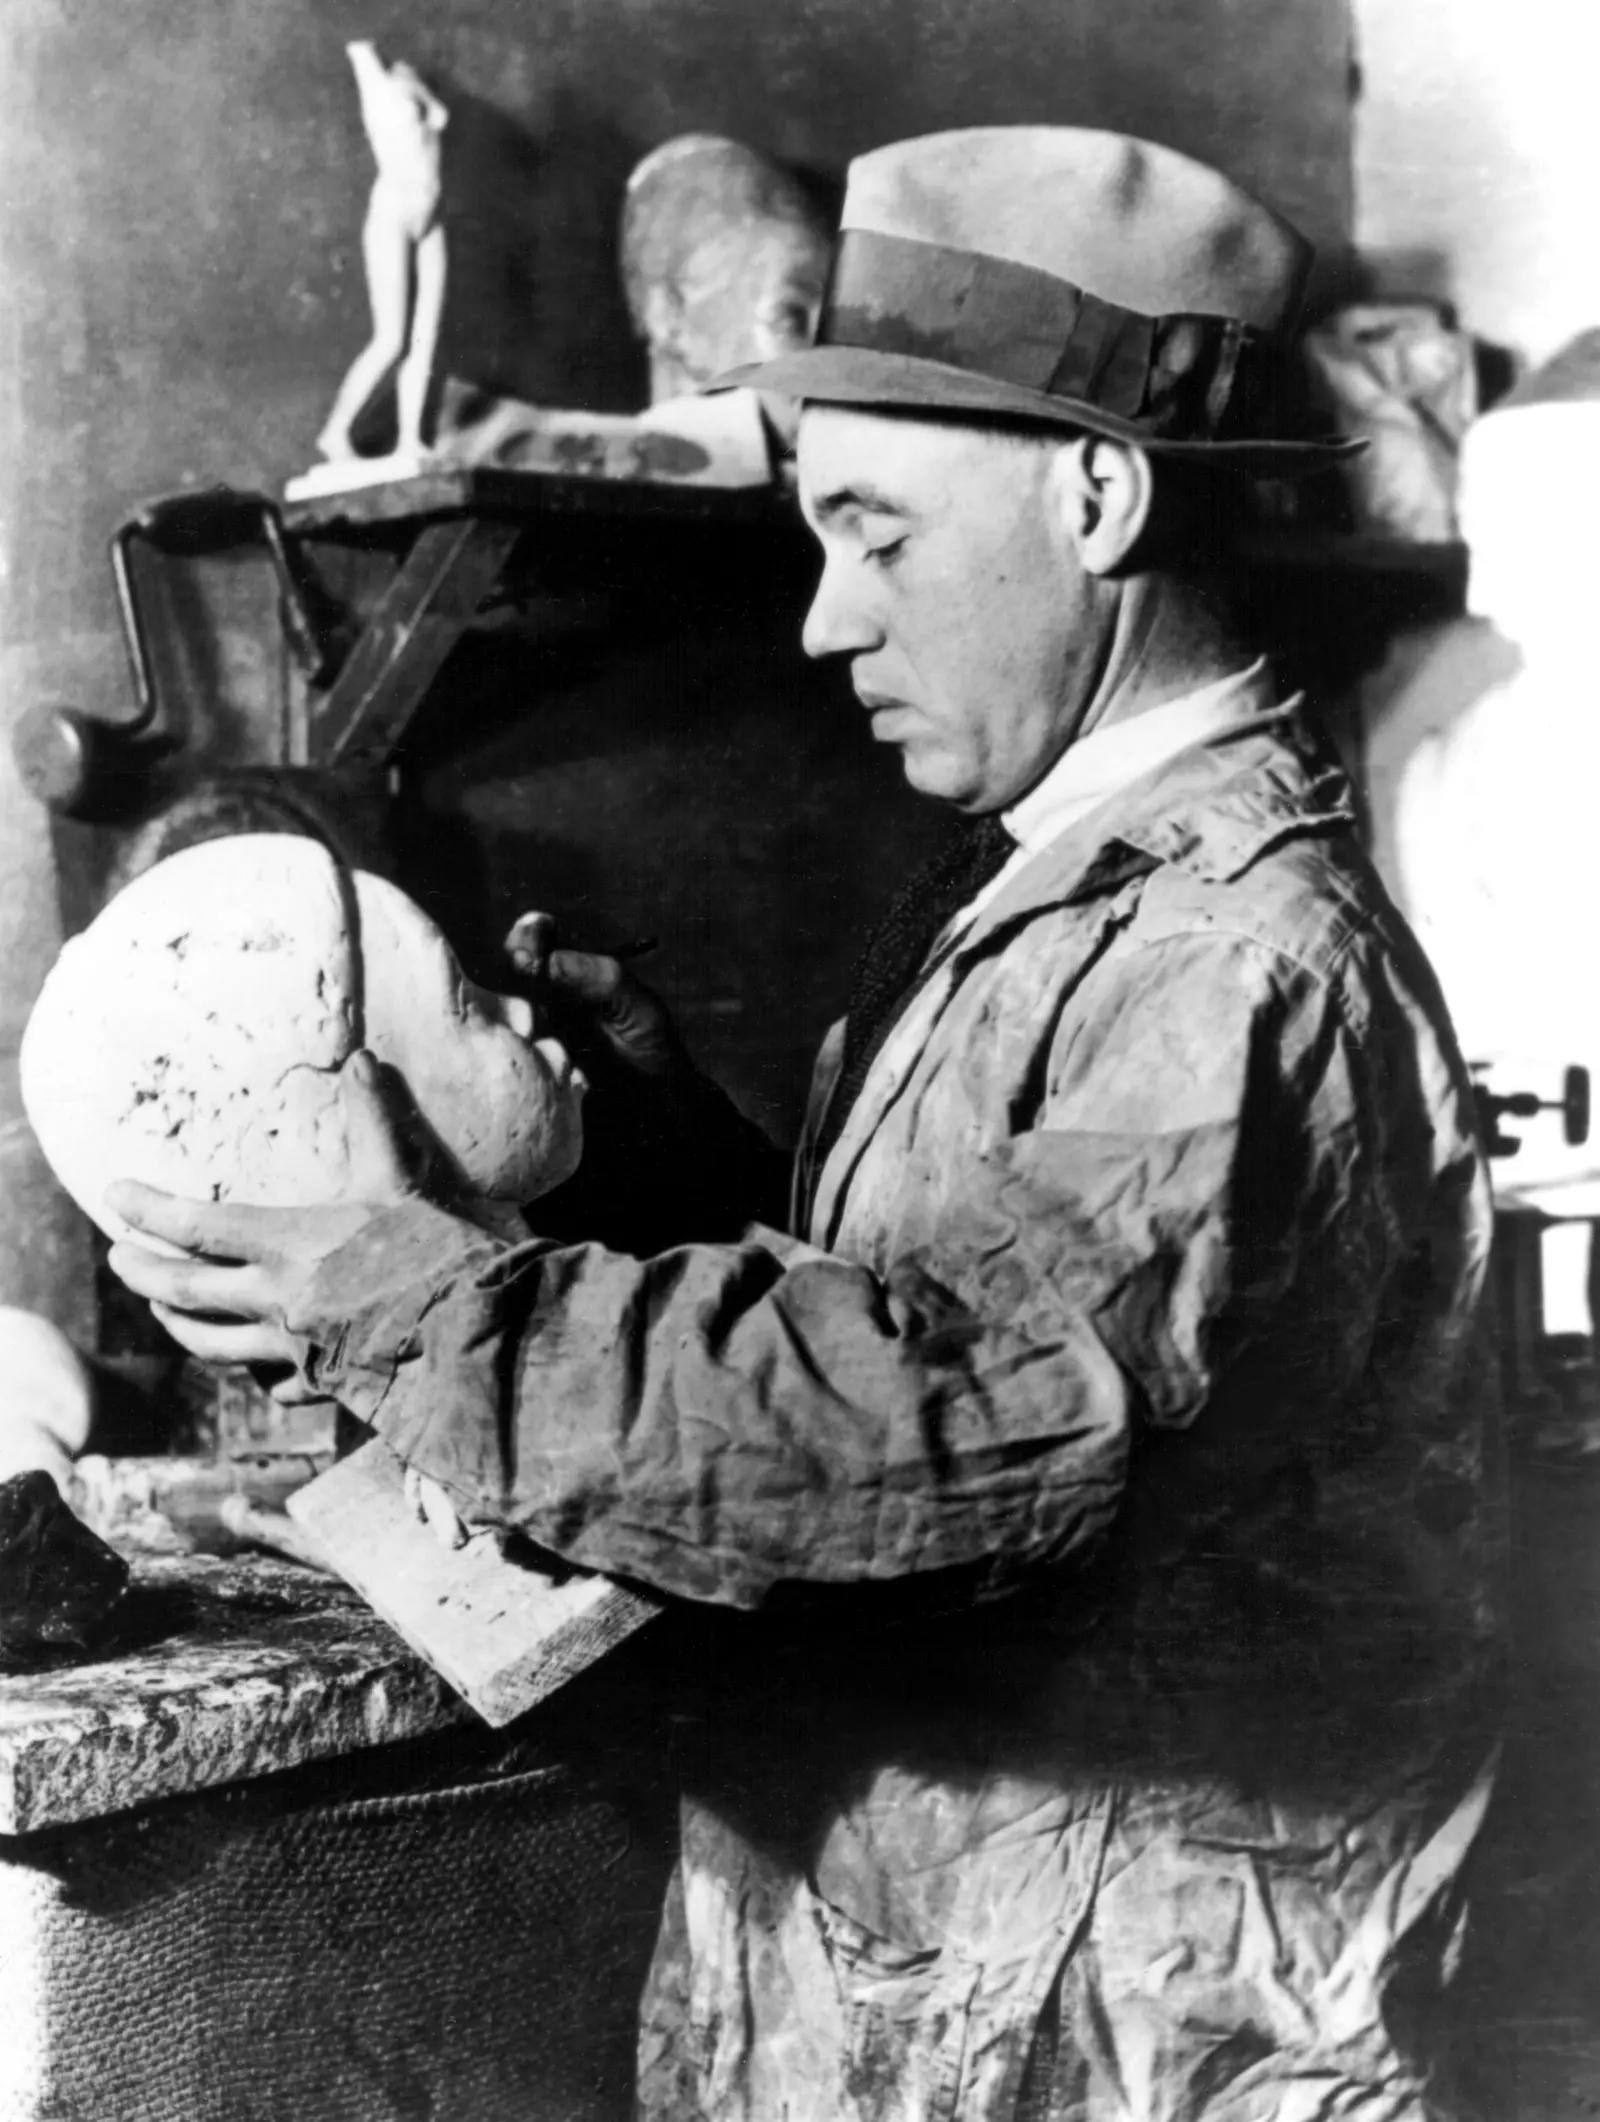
1213 810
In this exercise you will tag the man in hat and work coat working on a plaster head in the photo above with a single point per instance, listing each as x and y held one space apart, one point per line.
1100 1459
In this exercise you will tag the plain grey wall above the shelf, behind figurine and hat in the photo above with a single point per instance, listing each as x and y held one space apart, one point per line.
184 186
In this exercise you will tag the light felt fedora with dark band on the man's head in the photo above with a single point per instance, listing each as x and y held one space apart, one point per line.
1062 277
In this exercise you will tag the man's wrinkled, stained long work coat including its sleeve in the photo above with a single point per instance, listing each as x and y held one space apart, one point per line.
1113 1431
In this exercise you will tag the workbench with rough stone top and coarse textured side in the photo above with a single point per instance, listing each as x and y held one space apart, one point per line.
262 1862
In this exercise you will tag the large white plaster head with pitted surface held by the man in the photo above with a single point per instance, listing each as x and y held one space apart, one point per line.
196 1032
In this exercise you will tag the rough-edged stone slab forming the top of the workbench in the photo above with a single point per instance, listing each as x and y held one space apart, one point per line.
228 1669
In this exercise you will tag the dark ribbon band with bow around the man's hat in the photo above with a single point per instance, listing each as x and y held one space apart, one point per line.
1183 379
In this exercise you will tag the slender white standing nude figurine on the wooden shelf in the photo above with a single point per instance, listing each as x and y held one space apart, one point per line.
402 245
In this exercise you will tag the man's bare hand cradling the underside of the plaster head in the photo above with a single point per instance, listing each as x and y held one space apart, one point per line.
245 1272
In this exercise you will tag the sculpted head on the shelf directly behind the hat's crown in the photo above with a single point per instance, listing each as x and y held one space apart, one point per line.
725 260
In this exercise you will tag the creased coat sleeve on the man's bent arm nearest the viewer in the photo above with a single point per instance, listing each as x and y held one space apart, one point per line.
727 1421
